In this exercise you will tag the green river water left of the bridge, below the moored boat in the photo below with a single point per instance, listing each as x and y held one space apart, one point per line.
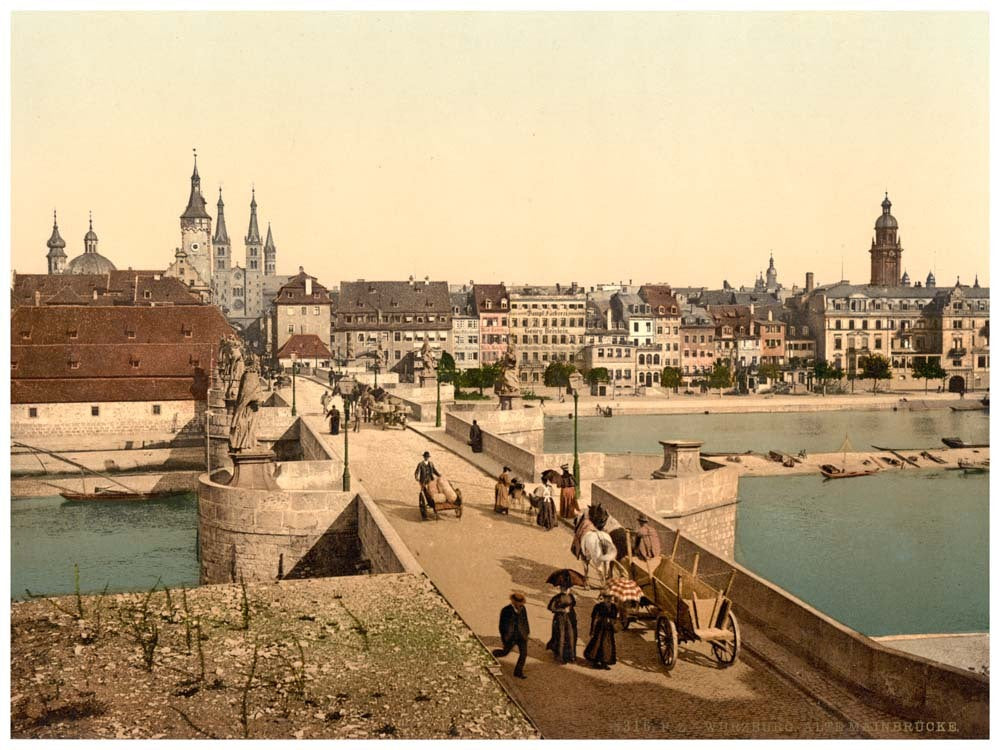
126 545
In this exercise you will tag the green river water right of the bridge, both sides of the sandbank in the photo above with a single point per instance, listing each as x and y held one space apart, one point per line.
898 552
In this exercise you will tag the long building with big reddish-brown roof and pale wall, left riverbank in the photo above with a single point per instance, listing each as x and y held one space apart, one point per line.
112 368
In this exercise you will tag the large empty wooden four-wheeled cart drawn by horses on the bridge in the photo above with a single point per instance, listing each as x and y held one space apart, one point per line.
680 606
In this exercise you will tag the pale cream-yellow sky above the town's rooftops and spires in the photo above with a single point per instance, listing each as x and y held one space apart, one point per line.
592 147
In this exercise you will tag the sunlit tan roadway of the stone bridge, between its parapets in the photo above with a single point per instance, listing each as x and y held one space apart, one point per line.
476 561
